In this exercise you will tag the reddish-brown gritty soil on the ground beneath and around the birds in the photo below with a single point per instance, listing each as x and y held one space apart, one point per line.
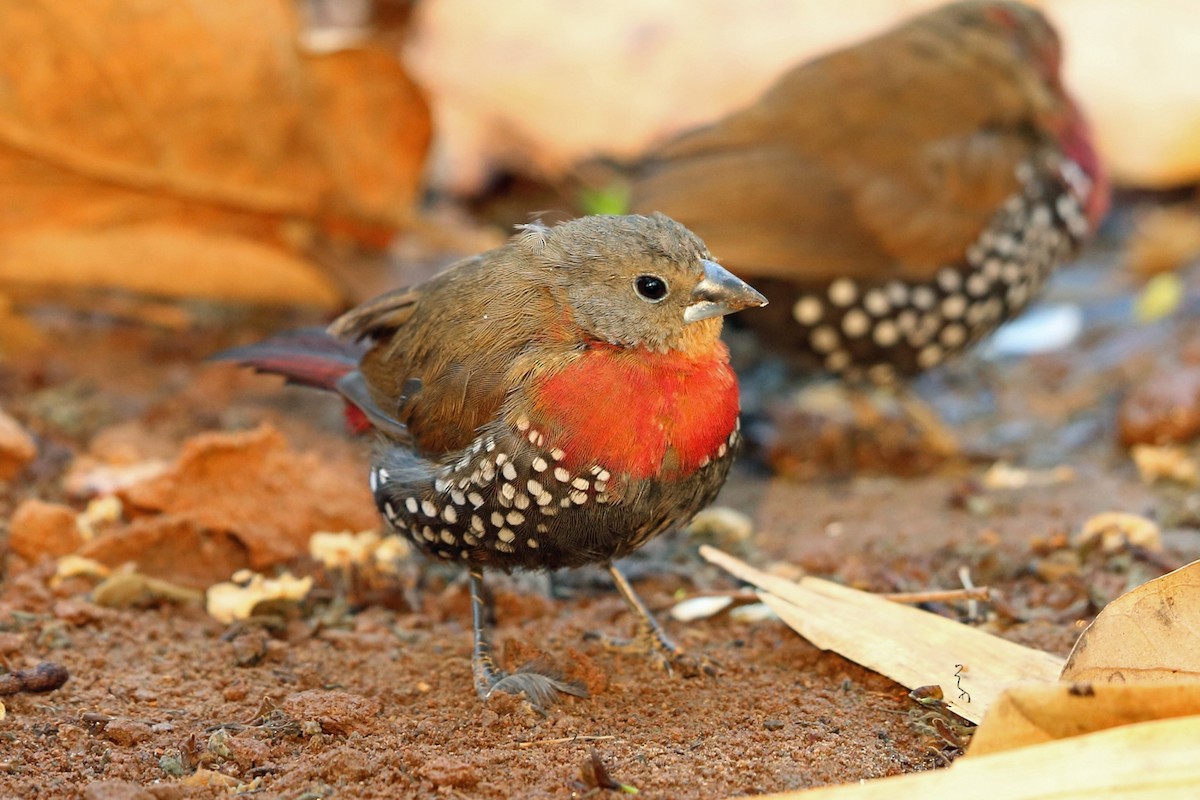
377 702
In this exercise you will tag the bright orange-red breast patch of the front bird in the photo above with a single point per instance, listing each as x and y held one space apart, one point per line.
640 413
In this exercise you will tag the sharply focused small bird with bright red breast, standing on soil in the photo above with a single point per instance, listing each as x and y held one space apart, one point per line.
556 402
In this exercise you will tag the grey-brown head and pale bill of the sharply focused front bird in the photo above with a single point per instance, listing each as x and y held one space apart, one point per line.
639 282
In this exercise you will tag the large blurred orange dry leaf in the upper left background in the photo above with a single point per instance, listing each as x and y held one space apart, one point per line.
187 149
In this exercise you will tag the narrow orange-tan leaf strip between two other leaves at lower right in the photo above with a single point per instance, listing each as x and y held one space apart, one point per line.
1041 713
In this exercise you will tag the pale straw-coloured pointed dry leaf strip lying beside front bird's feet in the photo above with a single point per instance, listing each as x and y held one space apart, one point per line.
909 646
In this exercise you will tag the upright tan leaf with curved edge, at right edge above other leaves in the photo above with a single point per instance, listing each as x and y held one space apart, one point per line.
1148 635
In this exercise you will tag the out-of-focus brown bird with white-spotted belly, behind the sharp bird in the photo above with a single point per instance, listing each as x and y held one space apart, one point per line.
898 200
